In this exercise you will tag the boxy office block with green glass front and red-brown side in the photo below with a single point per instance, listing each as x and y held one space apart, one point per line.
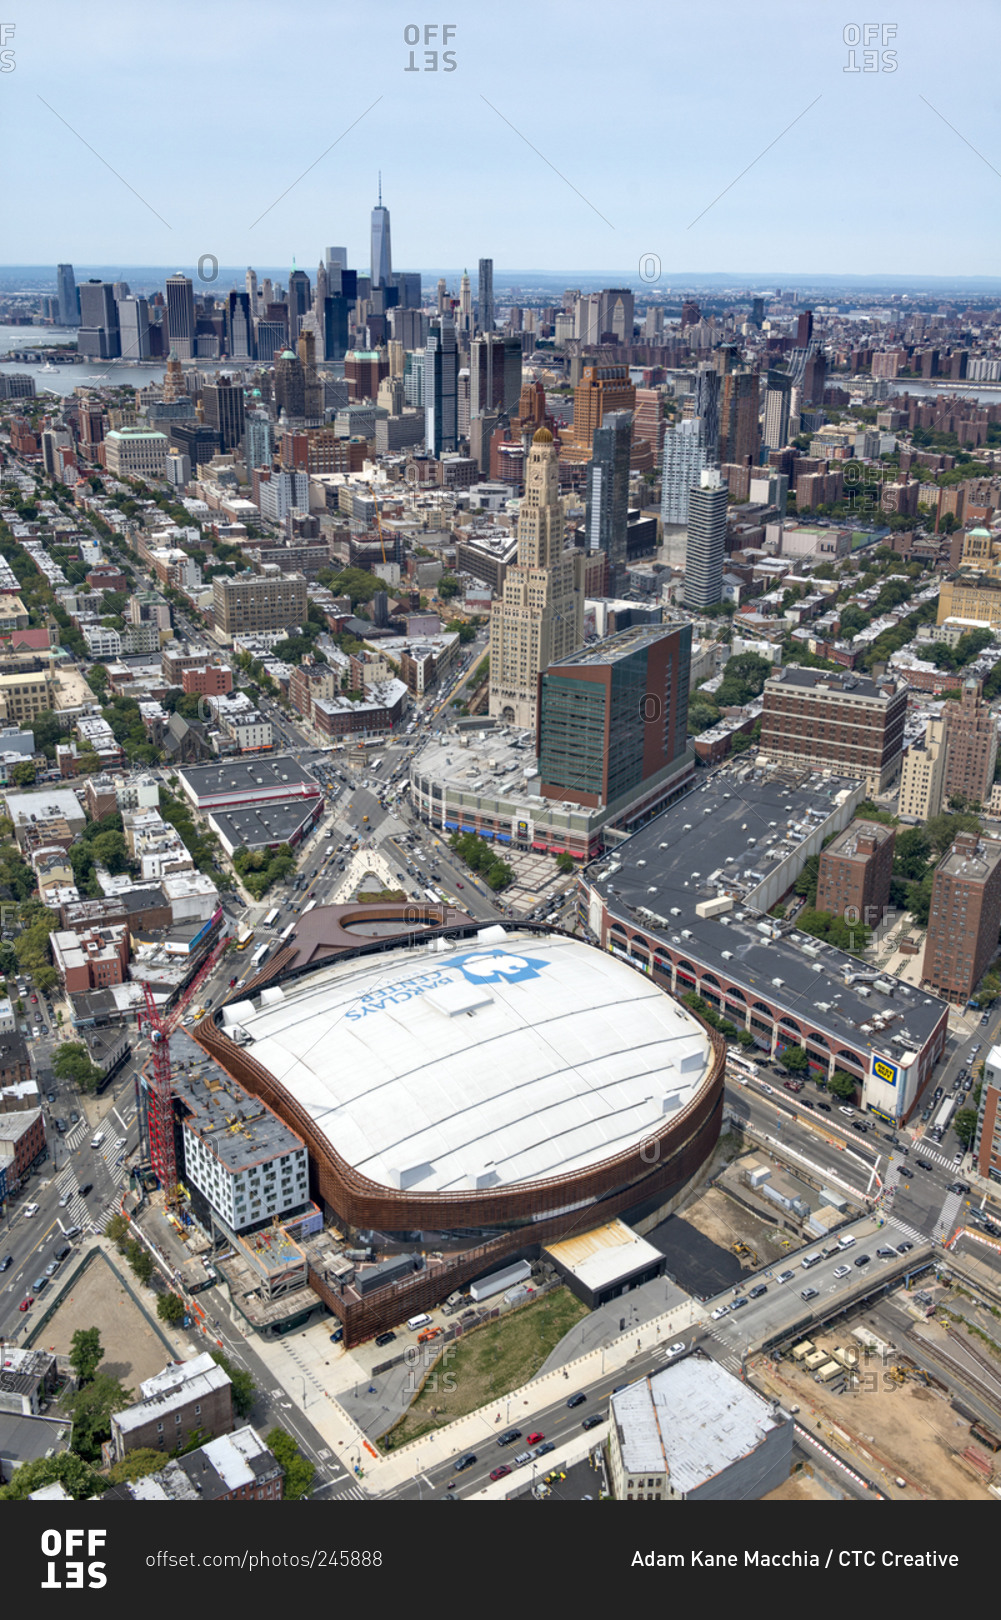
616 715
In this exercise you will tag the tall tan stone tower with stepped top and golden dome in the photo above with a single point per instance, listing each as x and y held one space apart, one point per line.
540 616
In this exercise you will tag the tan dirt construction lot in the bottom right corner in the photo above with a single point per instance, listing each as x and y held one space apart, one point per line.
906 1430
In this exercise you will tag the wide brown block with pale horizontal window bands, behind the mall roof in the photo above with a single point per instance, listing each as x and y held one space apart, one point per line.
840 722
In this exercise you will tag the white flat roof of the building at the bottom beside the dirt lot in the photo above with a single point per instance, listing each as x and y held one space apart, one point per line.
691 1422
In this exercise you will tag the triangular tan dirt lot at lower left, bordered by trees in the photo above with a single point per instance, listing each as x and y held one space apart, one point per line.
134 1349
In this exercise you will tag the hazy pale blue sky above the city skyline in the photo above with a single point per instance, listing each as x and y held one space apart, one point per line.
215 111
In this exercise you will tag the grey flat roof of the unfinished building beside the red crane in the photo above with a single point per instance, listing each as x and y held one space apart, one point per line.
236 1127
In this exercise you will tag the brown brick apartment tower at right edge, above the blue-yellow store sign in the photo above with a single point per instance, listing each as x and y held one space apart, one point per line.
965 918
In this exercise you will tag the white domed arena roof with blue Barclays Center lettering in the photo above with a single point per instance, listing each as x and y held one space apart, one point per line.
513 1059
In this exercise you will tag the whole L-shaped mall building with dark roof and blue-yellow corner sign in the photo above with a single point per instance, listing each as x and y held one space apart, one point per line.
688 900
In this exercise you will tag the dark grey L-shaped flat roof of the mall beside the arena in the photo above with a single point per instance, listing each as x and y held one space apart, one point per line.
726 838
